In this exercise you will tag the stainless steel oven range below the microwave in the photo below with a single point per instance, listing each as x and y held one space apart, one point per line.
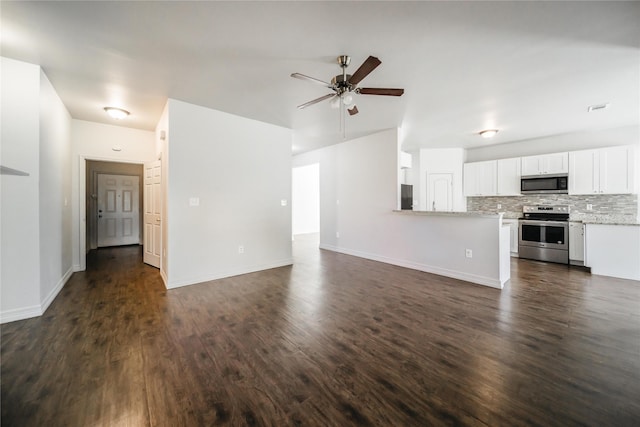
544 233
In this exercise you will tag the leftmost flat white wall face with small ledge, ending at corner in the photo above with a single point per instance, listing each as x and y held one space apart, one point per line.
20 257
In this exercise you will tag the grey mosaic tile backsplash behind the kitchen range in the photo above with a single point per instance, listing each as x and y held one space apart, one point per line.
618 206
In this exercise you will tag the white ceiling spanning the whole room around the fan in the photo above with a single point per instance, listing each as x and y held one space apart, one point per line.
529 69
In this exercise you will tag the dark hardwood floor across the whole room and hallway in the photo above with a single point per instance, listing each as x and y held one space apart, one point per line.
332 341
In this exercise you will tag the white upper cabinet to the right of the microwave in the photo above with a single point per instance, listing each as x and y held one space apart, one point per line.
602 171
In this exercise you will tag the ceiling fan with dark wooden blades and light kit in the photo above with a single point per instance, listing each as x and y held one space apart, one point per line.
345 85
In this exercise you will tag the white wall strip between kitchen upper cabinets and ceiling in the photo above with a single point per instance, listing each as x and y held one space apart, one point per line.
628 135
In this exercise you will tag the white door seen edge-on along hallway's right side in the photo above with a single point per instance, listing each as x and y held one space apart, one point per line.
152 210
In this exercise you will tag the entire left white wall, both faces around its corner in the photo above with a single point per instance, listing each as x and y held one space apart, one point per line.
36 215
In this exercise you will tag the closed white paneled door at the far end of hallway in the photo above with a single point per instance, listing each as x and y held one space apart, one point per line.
118 210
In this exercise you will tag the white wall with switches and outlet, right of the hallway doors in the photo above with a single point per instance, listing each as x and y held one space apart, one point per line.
240 170
